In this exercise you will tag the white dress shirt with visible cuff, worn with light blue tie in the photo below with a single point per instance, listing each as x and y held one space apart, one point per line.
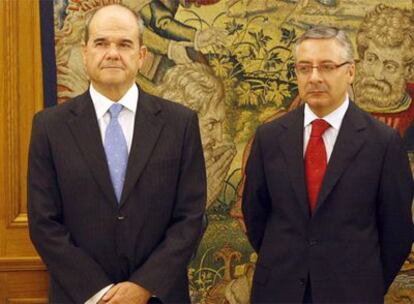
126 119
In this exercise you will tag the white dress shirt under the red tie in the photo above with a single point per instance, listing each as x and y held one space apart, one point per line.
335 121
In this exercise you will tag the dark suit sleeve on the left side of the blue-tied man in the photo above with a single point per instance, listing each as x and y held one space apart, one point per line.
76 272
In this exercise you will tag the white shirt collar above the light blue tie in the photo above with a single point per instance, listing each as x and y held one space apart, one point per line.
102 103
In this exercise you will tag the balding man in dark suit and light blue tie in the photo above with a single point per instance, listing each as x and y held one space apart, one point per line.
116 184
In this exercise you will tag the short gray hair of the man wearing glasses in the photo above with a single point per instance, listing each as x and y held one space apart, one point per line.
326 32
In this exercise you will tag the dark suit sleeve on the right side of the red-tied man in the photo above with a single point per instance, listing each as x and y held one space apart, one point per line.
394 213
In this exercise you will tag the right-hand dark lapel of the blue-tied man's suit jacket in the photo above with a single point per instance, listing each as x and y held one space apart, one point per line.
147 129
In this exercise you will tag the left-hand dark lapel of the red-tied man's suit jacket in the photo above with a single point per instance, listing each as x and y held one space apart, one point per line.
291 143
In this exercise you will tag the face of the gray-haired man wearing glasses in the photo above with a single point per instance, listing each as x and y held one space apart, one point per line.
323 91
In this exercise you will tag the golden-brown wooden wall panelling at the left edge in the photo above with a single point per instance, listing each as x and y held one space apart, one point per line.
23 278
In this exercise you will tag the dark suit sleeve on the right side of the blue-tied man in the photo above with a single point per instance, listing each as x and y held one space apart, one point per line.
170 259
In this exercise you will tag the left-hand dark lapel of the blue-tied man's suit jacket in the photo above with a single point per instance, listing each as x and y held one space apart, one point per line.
85 129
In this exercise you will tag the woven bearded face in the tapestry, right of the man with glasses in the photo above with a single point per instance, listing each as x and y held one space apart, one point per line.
381 78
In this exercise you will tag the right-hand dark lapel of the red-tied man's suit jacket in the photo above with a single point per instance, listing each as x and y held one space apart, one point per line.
347 145
